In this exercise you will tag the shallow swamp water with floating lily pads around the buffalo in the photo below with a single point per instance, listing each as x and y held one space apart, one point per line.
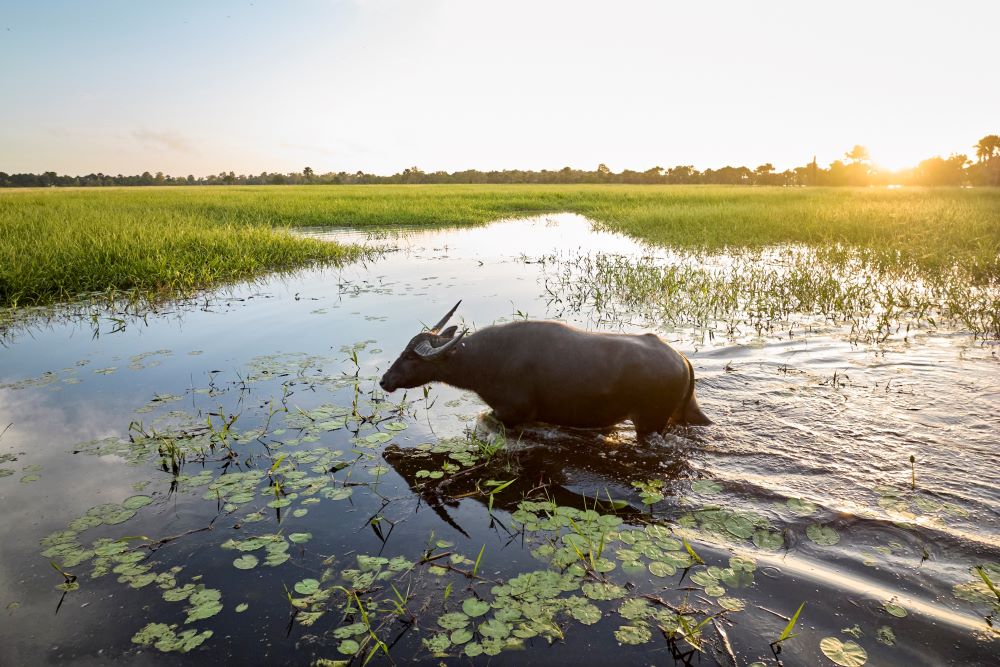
222 480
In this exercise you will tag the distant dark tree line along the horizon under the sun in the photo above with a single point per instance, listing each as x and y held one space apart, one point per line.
856 168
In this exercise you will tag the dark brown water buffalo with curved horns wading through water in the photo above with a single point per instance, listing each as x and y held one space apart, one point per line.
553 373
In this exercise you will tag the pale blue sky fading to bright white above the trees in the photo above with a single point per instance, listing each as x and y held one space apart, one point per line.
194 87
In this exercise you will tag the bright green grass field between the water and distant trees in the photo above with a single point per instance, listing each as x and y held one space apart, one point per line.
55 244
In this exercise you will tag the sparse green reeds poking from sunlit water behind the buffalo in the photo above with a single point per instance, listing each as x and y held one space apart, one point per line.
767 291
